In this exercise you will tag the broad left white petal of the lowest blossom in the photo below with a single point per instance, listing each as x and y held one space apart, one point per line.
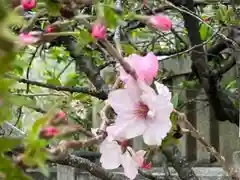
111 154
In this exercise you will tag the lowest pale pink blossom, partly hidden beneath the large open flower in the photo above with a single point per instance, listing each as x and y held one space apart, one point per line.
113 156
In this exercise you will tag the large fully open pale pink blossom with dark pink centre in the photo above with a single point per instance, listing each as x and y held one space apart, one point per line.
140 111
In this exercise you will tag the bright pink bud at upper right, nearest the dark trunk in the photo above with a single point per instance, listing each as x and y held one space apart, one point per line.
161 22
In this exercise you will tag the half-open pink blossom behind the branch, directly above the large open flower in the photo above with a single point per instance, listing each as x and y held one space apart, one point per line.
146 67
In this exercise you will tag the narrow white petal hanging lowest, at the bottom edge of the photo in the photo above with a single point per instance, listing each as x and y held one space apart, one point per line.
129 165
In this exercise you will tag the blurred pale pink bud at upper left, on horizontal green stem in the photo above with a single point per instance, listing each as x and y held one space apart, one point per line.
31 37
